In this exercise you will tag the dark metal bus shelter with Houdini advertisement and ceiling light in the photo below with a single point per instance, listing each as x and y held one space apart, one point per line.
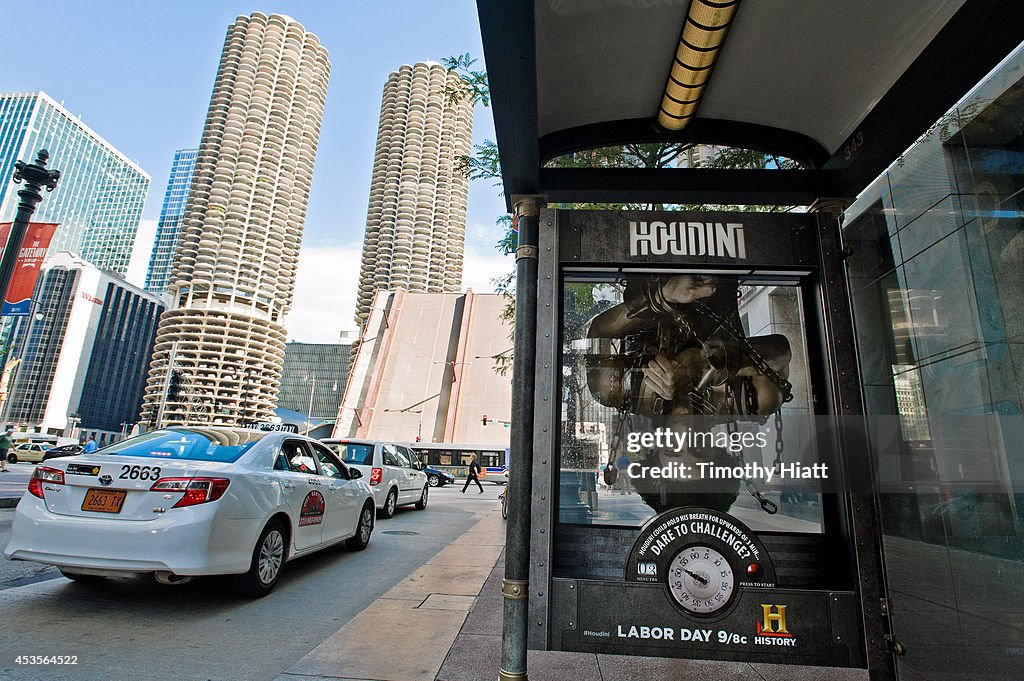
721 361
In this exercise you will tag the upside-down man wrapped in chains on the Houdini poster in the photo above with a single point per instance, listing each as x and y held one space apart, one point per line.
674 353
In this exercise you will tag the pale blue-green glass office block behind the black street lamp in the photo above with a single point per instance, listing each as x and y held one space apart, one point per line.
99 201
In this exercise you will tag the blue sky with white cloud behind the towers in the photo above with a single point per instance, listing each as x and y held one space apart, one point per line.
141 75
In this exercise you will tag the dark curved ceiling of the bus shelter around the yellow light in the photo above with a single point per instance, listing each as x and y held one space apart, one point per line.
843 87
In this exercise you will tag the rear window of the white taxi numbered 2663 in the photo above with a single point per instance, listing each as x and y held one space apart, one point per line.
191 444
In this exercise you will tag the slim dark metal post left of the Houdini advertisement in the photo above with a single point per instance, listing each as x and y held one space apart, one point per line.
516 586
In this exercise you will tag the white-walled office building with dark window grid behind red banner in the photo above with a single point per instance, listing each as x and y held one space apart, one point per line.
84 355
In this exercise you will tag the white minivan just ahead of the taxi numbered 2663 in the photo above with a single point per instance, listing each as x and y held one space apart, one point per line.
395 474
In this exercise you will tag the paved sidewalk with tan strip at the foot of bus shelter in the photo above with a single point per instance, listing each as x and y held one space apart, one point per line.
444 623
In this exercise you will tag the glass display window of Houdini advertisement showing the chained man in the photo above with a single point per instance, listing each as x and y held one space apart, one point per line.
686 385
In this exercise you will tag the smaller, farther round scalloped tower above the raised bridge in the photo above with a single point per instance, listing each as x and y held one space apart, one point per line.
416 222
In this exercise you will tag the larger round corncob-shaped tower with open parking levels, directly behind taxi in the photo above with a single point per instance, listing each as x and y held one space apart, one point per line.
221 348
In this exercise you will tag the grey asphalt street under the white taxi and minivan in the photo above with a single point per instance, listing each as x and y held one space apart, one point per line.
137 629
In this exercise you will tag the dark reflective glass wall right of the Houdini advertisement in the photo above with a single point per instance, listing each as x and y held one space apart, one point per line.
937 280
